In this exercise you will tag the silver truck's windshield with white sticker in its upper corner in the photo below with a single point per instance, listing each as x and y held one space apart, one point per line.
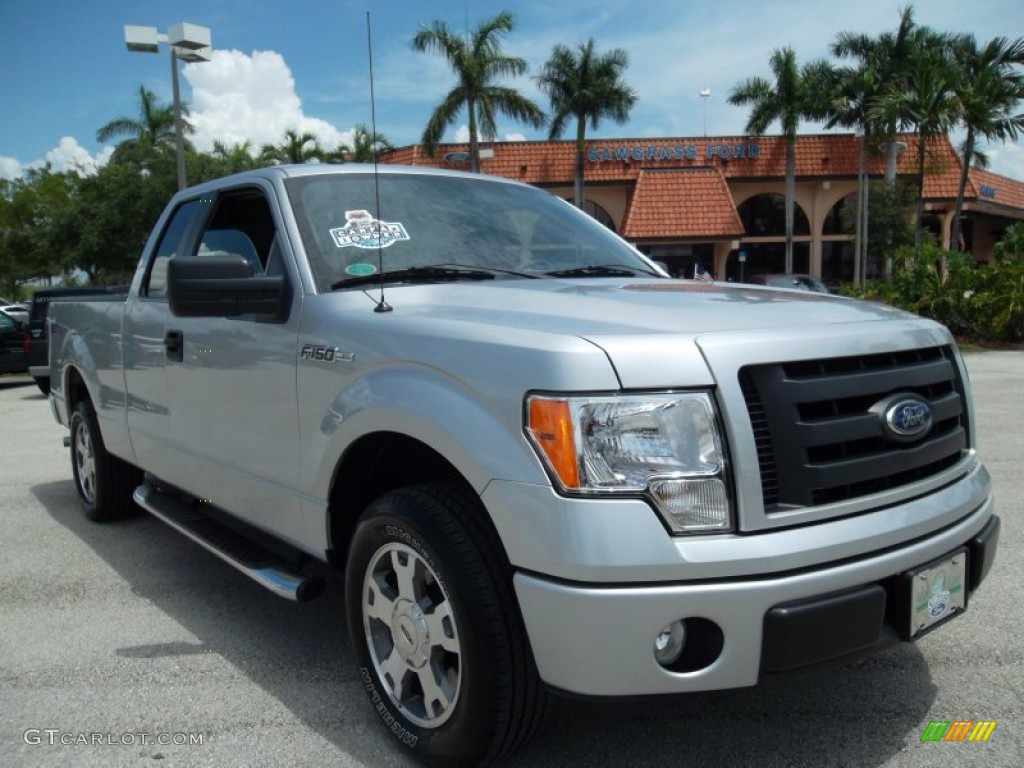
432 221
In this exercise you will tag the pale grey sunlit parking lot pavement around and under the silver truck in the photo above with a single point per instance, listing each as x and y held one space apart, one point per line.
131 629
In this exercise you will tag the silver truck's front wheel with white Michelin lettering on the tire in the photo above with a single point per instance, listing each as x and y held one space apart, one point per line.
432 610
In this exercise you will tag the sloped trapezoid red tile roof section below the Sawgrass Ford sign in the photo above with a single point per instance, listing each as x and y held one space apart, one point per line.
681 203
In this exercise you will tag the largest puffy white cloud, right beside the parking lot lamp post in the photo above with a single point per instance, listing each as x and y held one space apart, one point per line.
238 98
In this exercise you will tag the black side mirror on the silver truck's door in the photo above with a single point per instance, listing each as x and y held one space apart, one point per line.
224 287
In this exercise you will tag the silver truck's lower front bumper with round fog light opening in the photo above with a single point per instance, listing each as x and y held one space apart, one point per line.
599 641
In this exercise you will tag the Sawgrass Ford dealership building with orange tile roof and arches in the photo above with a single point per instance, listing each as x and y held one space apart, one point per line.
718 202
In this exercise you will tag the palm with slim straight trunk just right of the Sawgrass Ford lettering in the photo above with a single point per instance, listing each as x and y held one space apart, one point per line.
788 100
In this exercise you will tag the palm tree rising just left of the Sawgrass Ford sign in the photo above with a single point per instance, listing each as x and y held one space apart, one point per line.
587 87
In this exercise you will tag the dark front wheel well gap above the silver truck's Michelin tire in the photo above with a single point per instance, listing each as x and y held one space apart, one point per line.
373 466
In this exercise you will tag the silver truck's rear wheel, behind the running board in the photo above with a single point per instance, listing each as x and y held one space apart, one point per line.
105 484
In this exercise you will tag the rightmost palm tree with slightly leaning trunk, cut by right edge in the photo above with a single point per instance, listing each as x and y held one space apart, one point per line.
988 91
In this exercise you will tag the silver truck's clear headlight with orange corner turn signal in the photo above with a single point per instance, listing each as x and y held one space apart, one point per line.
664 446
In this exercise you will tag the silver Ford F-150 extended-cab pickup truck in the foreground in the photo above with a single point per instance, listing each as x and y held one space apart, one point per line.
541 464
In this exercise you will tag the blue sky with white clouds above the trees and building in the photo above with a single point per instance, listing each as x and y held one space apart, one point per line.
304 65
